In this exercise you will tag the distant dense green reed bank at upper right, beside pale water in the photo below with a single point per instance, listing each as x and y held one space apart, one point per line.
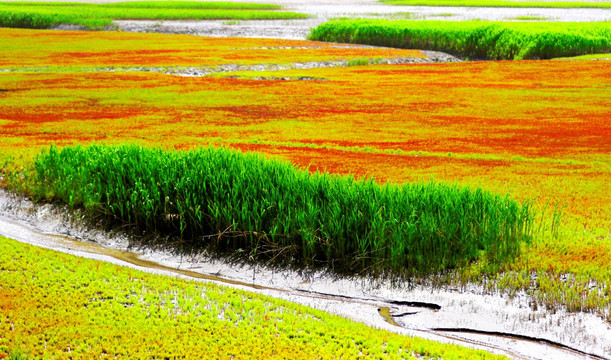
474 39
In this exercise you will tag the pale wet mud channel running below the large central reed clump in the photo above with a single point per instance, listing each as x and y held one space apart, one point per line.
469 316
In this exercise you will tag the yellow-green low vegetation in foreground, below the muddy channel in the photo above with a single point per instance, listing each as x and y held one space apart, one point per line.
58 306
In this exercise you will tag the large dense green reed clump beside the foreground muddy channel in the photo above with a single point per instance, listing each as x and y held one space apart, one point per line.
234 202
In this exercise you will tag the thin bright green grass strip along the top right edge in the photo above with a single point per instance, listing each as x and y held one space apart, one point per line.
502 3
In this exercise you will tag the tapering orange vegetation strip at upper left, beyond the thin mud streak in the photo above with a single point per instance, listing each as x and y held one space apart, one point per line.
42 48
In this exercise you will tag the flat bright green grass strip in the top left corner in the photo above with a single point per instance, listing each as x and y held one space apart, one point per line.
97 16
